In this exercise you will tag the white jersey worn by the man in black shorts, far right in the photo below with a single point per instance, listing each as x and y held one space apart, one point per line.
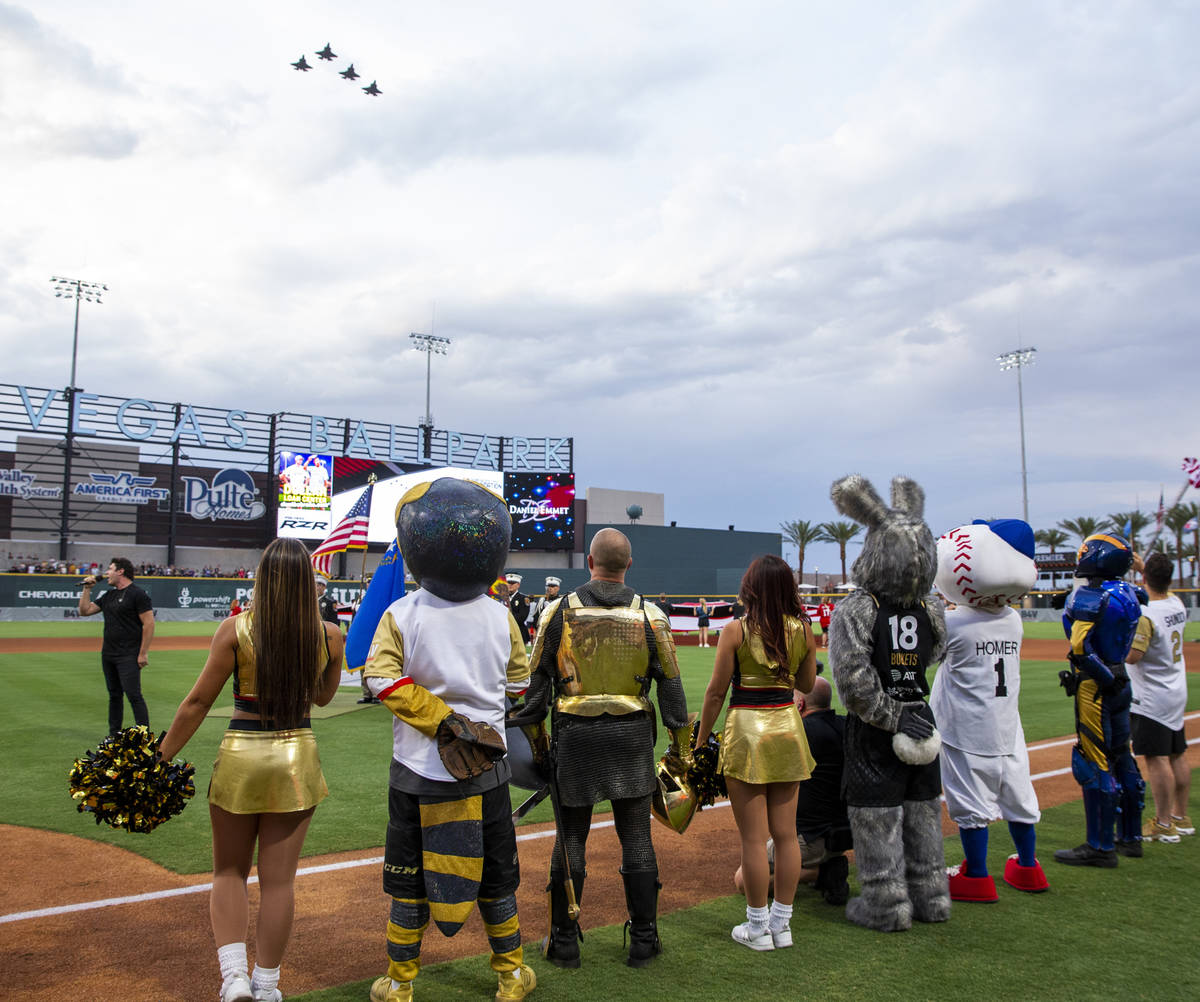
1160 688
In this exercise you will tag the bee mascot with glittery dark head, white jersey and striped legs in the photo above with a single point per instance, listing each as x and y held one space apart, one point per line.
442 661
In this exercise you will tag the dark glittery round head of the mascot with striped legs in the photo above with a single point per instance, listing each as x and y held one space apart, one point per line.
455 537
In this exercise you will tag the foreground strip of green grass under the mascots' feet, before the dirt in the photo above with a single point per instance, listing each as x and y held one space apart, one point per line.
1103 935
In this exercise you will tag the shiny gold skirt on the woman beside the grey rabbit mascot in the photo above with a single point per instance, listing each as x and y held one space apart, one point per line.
765 746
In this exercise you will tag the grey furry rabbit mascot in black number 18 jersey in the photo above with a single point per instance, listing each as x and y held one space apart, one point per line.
883 639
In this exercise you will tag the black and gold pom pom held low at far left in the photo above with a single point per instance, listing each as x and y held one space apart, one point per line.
127 785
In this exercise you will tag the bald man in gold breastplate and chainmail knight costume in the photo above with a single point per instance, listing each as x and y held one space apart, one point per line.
597 655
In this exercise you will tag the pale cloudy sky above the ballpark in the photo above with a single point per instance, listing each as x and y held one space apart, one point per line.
735 250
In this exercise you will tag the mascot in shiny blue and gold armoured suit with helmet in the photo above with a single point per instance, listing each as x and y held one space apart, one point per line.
1101 620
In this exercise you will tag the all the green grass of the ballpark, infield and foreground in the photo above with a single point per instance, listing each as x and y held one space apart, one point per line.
1139 919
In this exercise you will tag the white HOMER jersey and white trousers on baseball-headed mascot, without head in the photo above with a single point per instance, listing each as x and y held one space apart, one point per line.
986 766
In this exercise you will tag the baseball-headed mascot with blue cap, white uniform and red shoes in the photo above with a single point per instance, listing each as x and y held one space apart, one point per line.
986 769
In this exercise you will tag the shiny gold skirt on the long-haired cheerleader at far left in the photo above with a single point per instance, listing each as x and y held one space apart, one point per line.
268 772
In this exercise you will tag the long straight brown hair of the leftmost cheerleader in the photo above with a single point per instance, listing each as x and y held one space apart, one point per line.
289 634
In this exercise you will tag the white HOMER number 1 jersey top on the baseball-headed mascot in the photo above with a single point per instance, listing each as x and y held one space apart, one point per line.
976 691
